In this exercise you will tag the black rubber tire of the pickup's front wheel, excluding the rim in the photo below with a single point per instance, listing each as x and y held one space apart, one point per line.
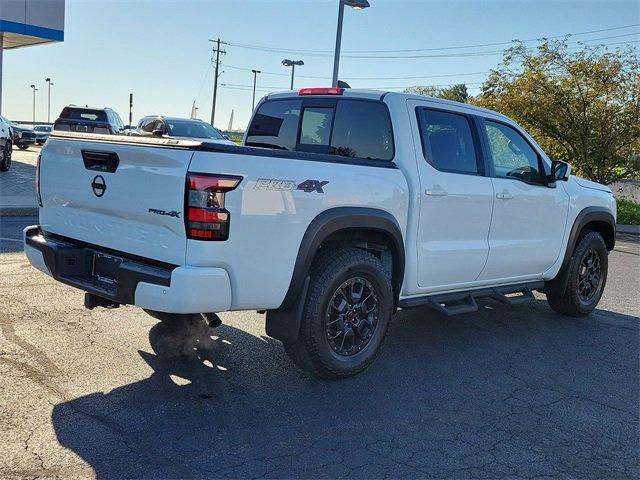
563 293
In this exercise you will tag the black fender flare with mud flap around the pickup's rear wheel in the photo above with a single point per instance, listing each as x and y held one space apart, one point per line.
284 322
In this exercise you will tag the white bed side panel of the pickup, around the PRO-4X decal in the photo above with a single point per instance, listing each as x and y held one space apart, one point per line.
267 226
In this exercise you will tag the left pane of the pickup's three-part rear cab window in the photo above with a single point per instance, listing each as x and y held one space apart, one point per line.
275 125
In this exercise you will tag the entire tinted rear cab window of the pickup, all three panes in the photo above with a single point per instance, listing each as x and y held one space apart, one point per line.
346 127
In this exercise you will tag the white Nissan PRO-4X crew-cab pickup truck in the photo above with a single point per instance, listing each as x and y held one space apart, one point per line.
341 207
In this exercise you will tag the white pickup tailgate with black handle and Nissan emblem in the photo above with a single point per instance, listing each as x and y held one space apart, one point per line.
124 197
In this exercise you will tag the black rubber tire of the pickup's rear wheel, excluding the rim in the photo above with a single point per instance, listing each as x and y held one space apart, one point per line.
331 269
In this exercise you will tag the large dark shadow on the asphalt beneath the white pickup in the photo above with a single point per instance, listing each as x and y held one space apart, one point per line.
518 391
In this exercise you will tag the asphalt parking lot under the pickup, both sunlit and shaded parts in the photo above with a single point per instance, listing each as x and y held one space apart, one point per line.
510 391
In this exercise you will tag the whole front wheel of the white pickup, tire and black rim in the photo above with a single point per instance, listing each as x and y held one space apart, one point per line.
577 290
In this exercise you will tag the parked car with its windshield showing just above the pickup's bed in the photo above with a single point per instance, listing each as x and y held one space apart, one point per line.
161 126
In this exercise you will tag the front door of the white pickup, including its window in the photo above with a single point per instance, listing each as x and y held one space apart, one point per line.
529 218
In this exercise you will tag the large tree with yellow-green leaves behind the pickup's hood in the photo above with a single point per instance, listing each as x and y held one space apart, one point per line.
582 106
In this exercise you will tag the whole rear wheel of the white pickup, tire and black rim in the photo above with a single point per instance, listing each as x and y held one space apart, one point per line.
346 314
